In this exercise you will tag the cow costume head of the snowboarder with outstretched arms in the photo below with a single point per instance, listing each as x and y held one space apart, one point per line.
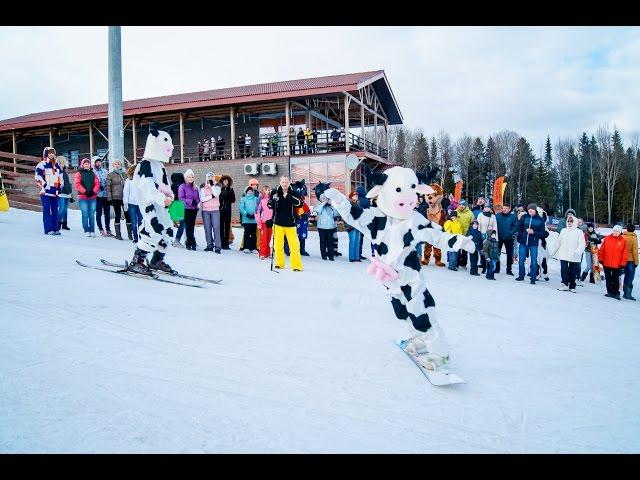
396 189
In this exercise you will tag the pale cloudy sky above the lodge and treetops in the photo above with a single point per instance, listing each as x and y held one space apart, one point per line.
479 80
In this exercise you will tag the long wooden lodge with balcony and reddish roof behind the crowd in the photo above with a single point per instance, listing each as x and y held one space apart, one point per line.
350 114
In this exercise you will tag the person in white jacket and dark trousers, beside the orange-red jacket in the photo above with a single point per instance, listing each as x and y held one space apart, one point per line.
568 249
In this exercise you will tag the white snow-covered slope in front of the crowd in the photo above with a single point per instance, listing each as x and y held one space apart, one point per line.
297 362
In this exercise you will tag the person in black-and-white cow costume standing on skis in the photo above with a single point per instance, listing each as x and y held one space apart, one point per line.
154 194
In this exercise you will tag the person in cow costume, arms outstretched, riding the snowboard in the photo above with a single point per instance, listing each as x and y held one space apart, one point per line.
395 228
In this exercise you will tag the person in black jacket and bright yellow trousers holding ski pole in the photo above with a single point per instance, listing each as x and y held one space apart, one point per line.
283 201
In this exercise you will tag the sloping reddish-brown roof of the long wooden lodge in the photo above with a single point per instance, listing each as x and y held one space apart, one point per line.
224 96
